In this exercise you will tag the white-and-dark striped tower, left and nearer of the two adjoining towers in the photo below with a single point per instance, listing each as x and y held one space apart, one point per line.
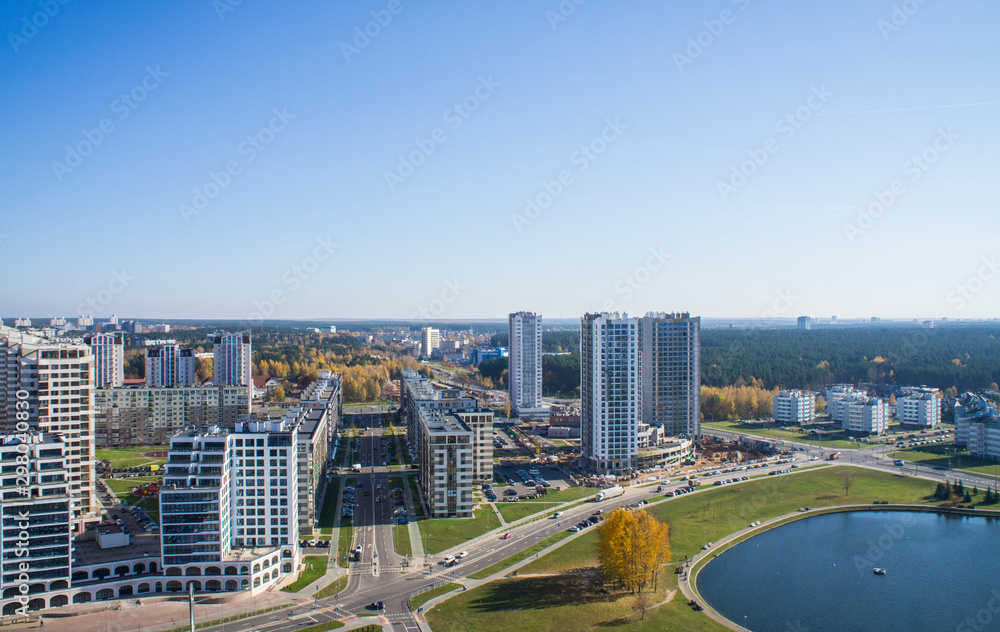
610 391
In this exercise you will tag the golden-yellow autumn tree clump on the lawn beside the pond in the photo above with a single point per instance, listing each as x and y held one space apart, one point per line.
632 548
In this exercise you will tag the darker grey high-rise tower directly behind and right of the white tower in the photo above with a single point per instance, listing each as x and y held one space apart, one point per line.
671 372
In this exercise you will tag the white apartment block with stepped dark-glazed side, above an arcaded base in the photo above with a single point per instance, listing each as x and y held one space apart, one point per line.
229 504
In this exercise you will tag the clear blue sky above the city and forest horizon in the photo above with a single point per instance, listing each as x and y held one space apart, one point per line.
689 194
